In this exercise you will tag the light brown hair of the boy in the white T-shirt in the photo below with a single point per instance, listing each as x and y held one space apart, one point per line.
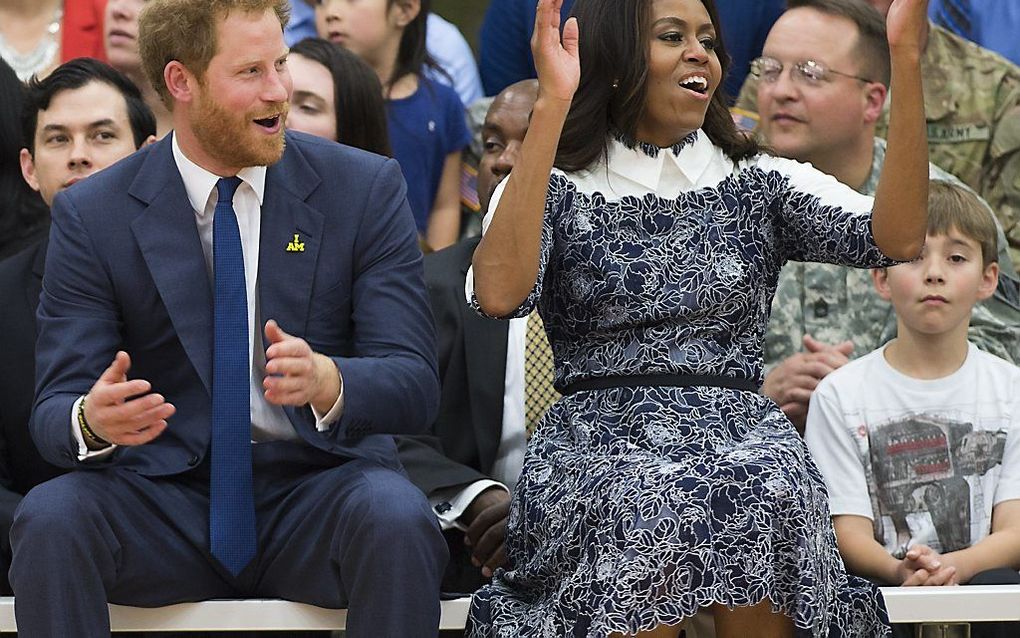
953 207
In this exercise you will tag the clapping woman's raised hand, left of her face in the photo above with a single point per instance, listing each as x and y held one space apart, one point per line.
556 60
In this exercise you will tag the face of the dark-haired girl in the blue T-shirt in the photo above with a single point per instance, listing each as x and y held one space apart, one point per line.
371 29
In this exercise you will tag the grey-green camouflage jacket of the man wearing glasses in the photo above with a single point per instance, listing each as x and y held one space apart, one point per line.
834 304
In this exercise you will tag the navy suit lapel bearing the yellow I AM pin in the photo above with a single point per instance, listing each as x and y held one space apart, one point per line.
290 240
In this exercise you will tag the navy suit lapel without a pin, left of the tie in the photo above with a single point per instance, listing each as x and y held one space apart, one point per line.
168 236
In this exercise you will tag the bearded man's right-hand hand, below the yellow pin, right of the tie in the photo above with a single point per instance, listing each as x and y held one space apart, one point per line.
296 375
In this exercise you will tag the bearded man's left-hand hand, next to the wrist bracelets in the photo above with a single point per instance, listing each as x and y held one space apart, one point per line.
125 412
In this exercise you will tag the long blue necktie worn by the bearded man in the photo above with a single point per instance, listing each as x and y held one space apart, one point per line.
232 505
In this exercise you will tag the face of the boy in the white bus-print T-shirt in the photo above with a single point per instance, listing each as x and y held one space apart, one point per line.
935 295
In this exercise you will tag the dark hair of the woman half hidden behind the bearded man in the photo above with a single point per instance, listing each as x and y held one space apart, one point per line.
358 95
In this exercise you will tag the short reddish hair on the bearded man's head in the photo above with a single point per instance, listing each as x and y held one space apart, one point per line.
186 31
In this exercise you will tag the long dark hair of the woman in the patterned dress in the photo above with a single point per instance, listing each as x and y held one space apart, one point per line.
610 97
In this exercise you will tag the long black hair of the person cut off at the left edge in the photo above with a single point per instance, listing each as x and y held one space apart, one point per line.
23 212
